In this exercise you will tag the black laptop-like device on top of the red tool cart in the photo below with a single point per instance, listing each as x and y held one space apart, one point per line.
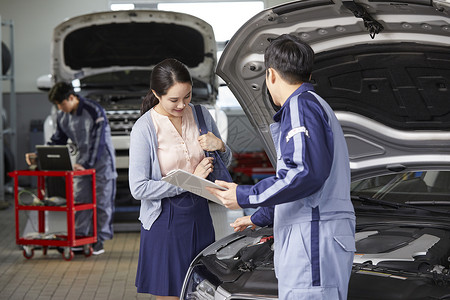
53 158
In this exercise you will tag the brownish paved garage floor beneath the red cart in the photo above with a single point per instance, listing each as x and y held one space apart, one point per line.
107 276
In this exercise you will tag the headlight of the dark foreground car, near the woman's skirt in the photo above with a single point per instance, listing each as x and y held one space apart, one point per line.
198 287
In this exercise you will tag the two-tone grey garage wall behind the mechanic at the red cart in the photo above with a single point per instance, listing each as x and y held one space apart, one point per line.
33 25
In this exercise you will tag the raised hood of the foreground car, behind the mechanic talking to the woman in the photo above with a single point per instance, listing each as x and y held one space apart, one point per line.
384 67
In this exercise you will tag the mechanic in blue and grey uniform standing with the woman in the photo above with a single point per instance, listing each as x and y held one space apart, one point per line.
308 200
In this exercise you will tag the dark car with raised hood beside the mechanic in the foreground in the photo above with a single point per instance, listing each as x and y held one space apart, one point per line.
384 68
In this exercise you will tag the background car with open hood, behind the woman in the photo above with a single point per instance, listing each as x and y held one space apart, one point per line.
108 56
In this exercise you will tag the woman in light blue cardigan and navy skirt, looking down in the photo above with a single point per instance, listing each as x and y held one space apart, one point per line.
176 225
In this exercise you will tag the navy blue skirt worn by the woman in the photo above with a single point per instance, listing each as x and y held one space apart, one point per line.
182 230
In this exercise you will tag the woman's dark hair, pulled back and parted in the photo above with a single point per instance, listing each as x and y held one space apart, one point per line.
164 75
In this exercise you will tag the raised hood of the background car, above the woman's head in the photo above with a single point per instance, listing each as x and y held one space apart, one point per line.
132 40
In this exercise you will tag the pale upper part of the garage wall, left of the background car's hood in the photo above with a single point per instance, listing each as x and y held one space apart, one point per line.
33 25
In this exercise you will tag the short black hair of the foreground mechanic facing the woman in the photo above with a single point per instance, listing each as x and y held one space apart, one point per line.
291 57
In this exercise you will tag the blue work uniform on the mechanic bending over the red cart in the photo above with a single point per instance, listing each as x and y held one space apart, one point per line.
89 130
